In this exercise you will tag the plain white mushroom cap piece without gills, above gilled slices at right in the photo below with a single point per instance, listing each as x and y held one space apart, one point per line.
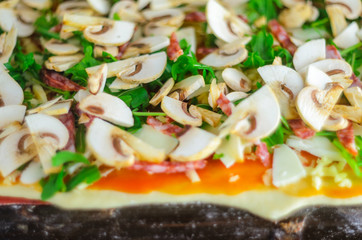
309 52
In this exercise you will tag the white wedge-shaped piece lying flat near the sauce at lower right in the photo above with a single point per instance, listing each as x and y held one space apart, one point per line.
287 168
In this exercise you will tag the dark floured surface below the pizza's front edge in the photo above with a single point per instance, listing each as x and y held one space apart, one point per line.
182 221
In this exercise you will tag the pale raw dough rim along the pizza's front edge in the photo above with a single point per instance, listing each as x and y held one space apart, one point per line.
270 204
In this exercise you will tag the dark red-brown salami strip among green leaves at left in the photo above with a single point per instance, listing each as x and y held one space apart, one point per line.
57 80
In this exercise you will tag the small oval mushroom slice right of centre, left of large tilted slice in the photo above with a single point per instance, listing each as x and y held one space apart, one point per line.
236 80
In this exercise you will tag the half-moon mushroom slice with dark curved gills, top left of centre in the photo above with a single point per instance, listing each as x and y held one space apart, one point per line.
115 33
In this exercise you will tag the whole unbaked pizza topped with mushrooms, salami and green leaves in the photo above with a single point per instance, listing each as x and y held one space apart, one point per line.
252 104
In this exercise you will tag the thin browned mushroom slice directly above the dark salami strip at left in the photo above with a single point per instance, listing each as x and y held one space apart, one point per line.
62 63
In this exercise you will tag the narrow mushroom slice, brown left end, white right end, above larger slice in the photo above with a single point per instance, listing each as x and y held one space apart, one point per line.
146 45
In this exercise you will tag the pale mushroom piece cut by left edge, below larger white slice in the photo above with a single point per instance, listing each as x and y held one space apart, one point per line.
10 114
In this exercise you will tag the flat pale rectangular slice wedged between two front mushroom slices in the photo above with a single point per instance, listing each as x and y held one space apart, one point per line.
157 139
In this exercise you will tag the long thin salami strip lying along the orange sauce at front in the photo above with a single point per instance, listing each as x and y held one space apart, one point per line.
168 167
